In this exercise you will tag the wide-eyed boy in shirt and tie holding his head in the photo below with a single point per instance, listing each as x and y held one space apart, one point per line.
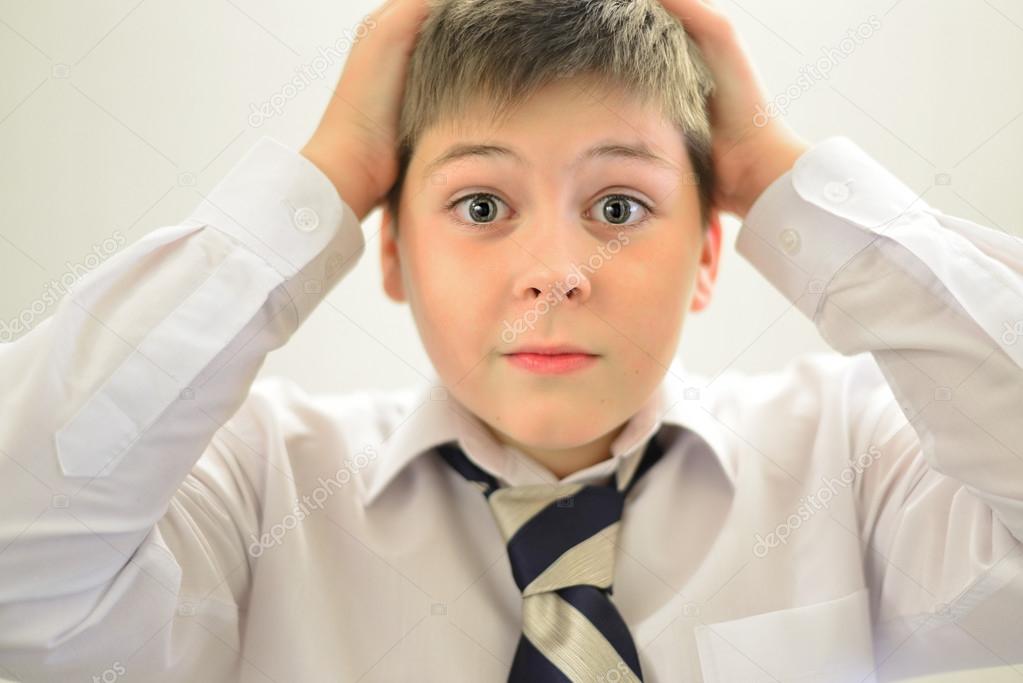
559 505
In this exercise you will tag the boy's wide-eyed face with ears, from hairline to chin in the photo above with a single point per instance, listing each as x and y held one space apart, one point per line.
504 277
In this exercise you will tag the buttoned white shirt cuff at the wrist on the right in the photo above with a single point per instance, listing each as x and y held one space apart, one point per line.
834 203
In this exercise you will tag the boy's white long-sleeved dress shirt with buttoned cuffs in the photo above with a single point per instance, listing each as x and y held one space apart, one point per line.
856 516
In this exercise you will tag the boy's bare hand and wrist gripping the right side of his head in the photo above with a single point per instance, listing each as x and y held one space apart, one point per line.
747 157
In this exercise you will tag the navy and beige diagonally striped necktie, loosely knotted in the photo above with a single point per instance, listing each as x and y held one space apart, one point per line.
561 540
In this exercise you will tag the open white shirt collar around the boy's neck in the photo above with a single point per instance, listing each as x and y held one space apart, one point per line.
434 417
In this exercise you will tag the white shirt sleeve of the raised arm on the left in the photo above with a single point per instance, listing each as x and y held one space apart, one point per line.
110 404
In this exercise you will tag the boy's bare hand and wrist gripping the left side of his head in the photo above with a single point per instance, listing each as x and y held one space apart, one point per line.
355 144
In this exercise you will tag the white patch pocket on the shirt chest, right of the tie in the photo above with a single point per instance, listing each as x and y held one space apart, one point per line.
825 642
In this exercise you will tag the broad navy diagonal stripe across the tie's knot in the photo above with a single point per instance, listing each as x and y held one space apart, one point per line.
557 529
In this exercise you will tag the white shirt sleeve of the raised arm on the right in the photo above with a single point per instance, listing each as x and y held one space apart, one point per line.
938 301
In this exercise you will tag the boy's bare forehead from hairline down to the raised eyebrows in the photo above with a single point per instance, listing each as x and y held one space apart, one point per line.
566 124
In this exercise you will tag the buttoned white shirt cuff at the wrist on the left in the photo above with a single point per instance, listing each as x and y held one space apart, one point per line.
282 207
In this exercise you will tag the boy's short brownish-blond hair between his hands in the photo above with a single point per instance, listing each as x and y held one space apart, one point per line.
499 53
